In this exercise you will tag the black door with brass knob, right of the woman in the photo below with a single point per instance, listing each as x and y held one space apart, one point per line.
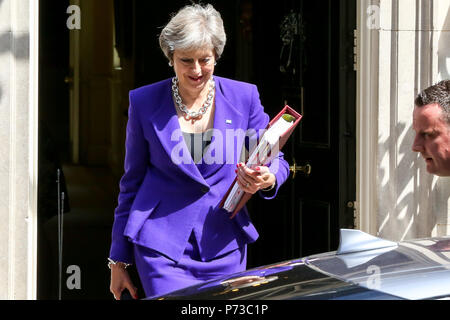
303 57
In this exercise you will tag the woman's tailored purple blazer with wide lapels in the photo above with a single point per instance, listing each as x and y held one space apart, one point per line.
161 200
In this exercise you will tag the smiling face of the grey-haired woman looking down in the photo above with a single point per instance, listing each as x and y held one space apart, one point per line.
193 68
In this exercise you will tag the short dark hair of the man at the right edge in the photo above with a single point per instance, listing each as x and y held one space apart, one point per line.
438 93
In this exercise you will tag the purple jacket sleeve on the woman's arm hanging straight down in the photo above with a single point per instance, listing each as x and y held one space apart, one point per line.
135 166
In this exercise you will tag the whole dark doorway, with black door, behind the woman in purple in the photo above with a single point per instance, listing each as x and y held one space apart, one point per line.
297 52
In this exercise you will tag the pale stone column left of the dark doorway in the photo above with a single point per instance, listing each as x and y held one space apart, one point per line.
18 148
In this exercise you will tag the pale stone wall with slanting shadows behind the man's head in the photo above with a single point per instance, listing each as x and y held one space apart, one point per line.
411 43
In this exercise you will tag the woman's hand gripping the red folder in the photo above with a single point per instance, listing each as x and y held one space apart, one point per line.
255 179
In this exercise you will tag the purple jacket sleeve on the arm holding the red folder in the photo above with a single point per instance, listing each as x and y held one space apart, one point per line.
258 119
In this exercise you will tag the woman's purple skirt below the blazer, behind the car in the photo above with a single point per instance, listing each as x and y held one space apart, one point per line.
160 275
